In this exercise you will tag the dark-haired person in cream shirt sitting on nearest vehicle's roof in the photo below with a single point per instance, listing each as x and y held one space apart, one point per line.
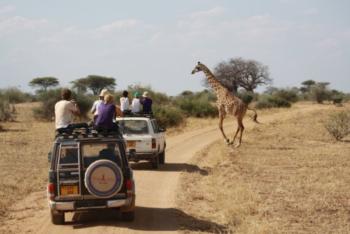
65 110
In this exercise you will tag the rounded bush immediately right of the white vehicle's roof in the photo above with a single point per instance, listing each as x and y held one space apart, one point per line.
168 116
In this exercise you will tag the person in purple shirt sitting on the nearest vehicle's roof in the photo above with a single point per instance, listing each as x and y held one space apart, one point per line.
106 115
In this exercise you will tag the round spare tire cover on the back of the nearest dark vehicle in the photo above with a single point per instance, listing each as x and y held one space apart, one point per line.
103 178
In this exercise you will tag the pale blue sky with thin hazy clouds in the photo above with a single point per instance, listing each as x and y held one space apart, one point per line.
158 42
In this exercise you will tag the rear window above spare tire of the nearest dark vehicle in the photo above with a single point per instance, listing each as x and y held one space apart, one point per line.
92 152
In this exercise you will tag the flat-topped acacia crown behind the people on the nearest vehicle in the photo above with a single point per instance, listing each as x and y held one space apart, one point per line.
94 83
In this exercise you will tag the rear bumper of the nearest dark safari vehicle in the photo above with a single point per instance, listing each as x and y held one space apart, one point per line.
72 205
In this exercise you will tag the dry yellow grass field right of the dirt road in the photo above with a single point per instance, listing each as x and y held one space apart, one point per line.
289 176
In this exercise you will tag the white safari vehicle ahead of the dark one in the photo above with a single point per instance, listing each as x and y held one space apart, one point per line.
144 139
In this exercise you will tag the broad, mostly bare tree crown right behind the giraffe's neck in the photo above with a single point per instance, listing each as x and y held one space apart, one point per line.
238 72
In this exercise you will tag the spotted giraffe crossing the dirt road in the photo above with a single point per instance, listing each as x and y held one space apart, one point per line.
227 103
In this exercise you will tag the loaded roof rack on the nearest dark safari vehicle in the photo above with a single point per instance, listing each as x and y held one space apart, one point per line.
80 133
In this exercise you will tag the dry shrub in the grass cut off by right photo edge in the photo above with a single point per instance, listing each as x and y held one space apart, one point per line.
338 125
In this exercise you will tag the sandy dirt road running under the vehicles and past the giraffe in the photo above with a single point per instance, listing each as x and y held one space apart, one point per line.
156 192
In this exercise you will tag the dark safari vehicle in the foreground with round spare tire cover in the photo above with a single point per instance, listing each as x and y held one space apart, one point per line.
90 172
